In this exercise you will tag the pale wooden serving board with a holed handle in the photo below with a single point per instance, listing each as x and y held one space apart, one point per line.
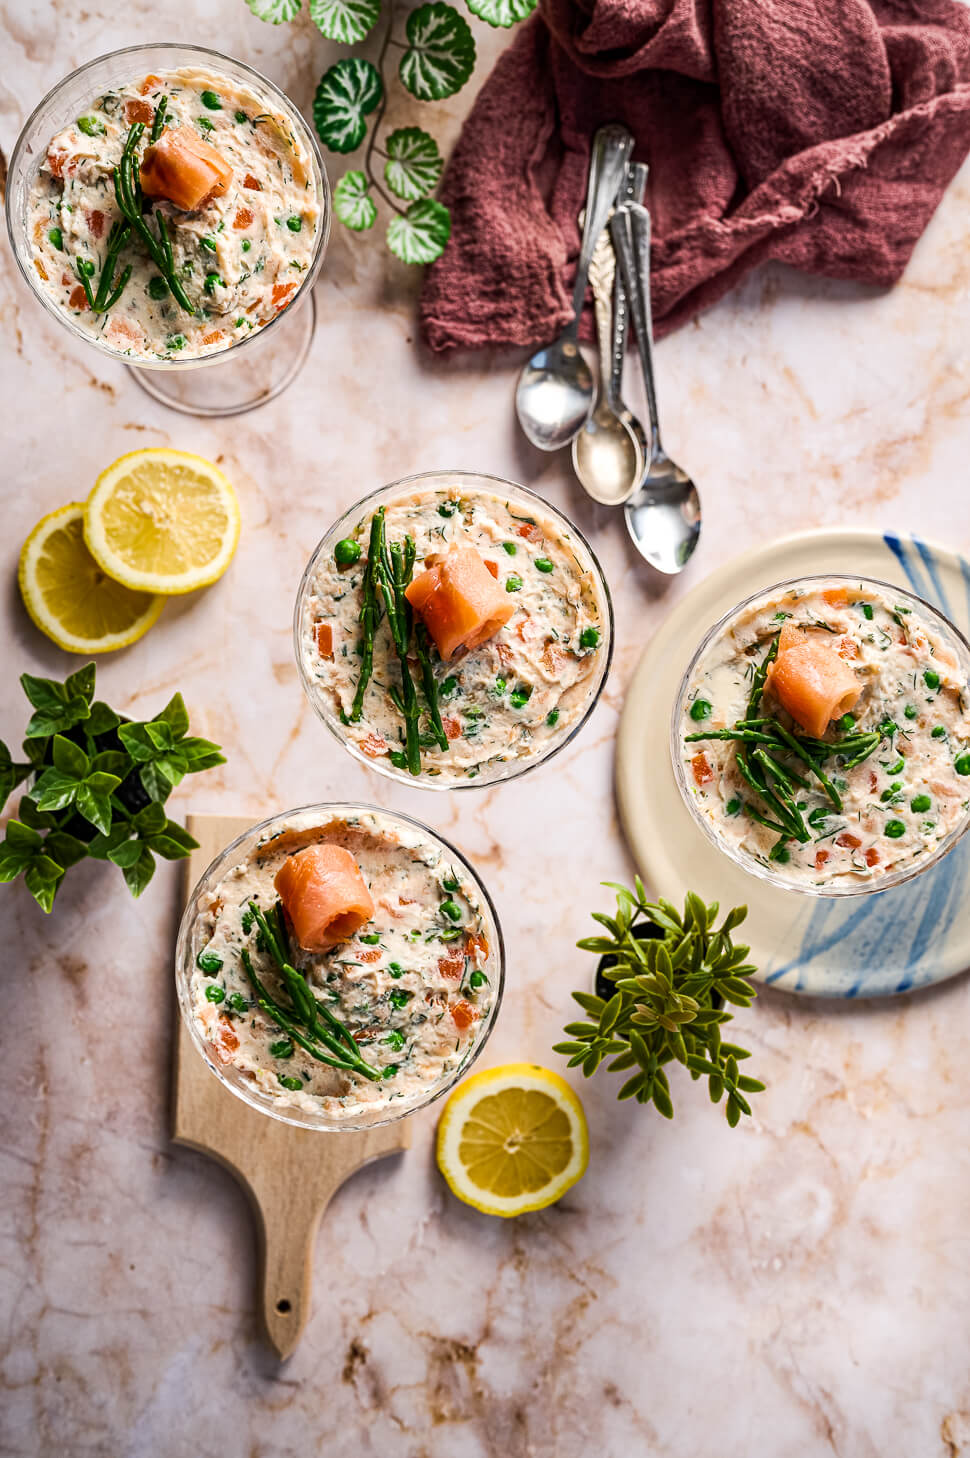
290 1174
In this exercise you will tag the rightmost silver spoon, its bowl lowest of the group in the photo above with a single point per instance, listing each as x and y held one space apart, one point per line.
664 515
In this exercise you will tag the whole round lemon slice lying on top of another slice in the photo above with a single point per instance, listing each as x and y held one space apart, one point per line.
163 521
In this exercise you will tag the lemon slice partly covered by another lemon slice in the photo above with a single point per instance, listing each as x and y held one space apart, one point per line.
71 599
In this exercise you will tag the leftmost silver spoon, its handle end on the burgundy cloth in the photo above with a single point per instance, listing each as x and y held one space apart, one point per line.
555 391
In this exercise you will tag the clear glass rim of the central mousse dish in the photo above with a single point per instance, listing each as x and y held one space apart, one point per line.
432 782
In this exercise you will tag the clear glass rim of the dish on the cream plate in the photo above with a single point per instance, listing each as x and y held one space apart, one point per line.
740 858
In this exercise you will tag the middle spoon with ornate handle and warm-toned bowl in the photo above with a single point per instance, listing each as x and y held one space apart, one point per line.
612 451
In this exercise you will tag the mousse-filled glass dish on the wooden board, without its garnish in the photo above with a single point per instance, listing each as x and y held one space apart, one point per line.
428 1061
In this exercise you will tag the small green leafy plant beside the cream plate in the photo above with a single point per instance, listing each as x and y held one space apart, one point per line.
669 1005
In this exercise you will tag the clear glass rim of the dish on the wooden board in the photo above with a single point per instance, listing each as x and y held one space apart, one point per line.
249 1094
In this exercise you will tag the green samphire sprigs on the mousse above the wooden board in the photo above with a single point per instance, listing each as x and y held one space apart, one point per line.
307 1021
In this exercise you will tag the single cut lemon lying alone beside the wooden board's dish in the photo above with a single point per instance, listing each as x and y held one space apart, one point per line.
513 1139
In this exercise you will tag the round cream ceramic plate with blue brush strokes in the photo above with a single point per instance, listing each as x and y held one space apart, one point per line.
867 947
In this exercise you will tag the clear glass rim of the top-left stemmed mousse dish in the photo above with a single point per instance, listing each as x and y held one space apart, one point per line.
290 107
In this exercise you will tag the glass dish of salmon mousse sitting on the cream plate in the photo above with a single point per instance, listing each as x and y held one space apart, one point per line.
822 736
